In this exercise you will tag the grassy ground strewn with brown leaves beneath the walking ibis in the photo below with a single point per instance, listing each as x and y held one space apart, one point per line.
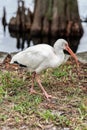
21 111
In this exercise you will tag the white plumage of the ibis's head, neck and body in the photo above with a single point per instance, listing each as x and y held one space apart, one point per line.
42 56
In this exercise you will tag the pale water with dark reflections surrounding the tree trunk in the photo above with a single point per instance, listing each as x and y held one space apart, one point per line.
8 43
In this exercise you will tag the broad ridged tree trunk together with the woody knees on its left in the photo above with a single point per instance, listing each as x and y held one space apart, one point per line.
50 18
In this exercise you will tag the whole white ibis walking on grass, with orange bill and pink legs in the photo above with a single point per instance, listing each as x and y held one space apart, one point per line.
42 56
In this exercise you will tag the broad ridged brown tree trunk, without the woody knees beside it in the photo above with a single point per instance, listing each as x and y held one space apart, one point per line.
58 17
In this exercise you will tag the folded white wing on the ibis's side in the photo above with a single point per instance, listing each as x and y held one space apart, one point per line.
35 57
